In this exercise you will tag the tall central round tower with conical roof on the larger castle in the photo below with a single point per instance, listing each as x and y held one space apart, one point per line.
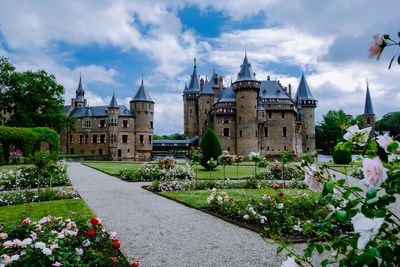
247 89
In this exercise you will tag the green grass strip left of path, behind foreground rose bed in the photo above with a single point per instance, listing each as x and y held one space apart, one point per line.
14 214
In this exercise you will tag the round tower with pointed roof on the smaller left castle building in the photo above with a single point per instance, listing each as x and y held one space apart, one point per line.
142 107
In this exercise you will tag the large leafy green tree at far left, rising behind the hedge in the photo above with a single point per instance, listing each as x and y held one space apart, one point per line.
32 98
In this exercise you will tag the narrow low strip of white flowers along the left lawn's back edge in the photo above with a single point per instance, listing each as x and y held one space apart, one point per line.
29 196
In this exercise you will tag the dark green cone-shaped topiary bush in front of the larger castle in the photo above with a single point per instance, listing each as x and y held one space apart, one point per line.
210 146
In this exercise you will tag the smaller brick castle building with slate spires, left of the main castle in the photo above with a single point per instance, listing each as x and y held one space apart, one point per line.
115 131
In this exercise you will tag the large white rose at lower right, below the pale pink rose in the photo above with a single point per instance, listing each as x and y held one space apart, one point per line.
368 228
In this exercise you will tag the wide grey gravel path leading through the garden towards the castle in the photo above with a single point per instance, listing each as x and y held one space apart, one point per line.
161 232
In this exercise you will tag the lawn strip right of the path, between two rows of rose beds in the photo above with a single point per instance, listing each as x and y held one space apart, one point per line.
198 198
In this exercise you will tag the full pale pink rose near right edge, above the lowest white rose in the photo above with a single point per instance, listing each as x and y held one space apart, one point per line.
374 172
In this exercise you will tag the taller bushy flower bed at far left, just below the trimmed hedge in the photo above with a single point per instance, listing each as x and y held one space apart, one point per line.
27 177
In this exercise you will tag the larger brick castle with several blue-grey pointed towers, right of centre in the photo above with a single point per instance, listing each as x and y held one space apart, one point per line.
251 115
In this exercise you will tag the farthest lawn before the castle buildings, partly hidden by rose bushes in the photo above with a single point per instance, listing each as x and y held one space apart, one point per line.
114 168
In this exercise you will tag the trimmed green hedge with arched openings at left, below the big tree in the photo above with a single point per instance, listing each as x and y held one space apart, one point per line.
29 140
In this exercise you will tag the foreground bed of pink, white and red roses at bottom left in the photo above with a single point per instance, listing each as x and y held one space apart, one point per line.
51 241
